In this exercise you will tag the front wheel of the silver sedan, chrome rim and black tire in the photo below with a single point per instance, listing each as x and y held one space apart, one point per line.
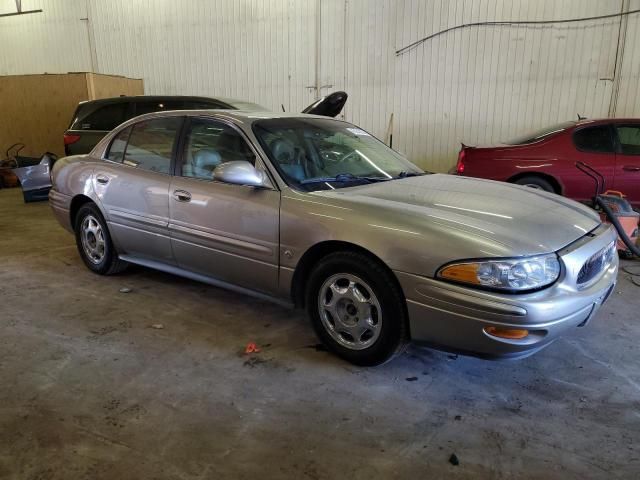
357 308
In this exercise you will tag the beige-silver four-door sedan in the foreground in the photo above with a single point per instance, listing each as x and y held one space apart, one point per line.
317 213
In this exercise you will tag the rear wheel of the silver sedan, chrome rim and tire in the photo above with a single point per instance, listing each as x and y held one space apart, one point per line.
94 242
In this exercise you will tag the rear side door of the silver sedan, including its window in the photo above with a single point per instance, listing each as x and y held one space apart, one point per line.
133 187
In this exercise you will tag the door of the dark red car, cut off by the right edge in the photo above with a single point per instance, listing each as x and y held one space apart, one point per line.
627 173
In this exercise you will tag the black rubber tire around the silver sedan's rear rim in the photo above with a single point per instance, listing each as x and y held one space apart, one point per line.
109 264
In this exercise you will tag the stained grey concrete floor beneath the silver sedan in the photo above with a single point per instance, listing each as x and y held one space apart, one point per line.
89 390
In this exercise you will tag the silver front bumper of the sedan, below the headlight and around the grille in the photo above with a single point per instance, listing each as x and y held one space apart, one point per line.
454 317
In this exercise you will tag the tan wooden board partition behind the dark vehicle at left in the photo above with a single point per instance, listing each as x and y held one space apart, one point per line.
37 109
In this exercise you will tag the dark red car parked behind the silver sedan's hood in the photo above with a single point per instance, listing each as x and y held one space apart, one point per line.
546 159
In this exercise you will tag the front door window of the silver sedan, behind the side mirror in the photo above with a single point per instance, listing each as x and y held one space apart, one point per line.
210 143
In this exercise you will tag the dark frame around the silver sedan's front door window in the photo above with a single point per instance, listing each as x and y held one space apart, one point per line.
260 163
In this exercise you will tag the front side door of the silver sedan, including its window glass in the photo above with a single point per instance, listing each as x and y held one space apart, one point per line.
229 232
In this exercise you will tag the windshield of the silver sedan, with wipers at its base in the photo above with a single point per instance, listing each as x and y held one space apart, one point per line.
321 154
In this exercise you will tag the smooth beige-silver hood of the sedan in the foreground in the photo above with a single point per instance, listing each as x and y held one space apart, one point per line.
504 219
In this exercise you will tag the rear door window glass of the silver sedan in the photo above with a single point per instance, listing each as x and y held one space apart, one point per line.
151 144
